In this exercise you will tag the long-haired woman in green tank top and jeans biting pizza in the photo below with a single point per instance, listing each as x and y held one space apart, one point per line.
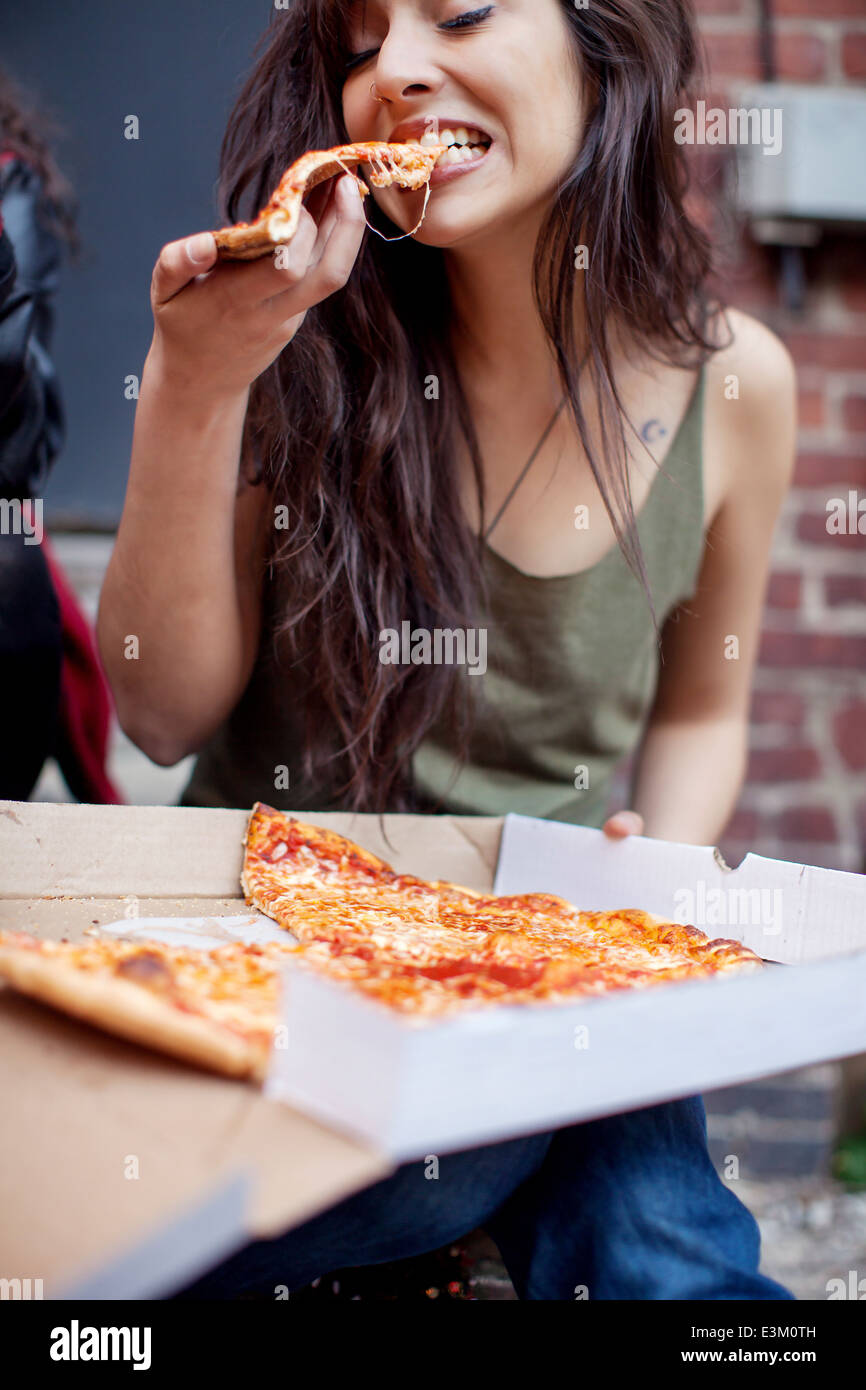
395 415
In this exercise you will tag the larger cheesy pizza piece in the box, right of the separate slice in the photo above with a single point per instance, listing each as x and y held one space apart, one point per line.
429 949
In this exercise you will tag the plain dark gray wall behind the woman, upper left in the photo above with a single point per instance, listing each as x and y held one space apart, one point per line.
177 66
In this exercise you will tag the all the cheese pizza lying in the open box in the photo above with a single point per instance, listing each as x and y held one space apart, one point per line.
419 947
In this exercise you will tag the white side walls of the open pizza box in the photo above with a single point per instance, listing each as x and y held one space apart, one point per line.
426 1088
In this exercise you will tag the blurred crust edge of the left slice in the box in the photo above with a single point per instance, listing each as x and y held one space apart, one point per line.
133 1013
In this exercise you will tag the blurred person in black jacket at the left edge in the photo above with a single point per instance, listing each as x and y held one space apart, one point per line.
55 701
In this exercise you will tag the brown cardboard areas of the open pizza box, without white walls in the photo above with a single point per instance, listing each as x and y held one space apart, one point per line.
80 1107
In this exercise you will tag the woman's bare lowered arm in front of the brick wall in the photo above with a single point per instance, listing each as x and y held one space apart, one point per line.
693 758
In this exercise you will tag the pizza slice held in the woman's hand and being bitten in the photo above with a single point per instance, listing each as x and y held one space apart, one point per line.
408 166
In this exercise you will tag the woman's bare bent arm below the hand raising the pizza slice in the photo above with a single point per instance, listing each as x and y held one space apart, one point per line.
180 611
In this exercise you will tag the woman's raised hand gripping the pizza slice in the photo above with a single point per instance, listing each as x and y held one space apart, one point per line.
220 325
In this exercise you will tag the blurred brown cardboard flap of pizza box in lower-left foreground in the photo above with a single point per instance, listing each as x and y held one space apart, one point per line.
104 1143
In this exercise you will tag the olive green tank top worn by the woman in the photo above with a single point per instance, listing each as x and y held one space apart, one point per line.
572 669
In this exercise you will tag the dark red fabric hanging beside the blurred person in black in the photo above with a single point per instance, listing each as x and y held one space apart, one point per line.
85 701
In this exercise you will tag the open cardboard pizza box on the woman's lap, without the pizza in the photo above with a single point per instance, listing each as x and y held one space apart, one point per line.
124 1174
